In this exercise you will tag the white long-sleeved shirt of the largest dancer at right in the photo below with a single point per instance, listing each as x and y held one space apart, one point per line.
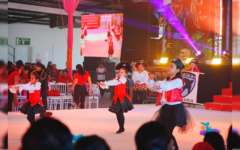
165 85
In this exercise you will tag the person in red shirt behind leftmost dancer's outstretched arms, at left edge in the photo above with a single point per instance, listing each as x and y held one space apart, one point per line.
13 79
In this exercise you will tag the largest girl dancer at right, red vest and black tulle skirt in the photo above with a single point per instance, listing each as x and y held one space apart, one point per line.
173 112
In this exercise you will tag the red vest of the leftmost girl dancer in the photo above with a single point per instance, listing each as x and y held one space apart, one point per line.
34 98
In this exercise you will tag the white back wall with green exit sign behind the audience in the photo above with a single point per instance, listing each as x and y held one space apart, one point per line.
47 40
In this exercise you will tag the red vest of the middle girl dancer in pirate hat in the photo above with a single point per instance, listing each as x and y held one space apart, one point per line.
120 92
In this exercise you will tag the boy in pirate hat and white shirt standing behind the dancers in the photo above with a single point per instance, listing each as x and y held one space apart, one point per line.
140 78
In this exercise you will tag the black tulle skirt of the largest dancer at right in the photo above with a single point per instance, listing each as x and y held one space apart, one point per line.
175 115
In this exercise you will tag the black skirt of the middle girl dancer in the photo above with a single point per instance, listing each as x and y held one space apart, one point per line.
119 107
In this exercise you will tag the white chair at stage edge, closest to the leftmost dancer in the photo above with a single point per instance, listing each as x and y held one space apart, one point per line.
54 101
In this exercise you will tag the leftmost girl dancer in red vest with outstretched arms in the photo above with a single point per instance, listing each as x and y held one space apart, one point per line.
34 104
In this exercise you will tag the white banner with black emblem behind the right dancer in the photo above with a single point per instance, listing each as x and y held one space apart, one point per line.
190 88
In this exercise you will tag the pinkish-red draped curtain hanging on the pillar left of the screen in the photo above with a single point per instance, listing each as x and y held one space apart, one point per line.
70 6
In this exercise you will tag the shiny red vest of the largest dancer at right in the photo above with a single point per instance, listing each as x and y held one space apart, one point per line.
174 95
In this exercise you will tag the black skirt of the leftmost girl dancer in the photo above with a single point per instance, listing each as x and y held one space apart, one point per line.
28 109
